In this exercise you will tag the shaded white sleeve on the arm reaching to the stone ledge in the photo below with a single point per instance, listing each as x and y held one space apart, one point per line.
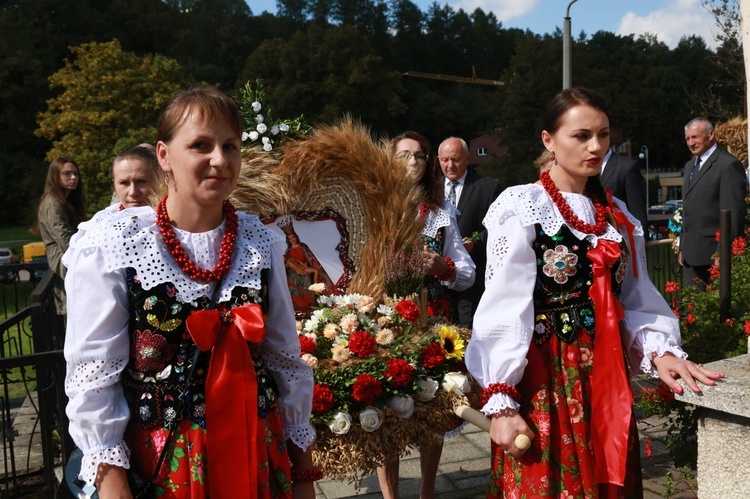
651 326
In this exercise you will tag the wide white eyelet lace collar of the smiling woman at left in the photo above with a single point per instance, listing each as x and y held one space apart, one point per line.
130 238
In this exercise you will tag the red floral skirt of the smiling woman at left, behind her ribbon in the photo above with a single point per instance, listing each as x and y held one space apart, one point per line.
184 473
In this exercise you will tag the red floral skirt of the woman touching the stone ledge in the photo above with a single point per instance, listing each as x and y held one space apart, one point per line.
556 404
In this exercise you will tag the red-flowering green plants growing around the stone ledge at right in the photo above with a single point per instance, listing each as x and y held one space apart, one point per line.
706 339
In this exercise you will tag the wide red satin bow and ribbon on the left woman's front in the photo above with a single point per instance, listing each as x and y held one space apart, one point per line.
231 398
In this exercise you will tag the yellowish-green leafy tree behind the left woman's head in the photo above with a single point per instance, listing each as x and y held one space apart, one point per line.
109 100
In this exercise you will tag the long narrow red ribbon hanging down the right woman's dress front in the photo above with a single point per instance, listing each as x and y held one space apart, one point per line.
611 399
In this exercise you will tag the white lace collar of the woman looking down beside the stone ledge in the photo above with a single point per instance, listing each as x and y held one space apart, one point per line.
532 205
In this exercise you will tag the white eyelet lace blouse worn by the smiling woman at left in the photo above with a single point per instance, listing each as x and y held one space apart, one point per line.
97 343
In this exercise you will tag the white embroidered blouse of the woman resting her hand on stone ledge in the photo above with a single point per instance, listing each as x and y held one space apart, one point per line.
504 320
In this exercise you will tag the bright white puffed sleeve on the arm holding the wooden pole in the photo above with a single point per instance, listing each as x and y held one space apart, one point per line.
505 316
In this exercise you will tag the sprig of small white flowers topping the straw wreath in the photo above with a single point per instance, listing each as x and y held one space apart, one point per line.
261 128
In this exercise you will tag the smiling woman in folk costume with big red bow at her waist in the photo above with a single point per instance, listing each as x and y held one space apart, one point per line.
147 289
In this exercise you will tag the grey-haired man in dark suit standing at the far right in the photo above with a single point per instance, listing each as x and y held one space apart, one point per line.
713 180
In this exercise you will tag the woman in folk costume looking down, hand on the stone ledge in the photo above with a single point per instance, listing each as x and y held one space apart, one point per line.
567 309
